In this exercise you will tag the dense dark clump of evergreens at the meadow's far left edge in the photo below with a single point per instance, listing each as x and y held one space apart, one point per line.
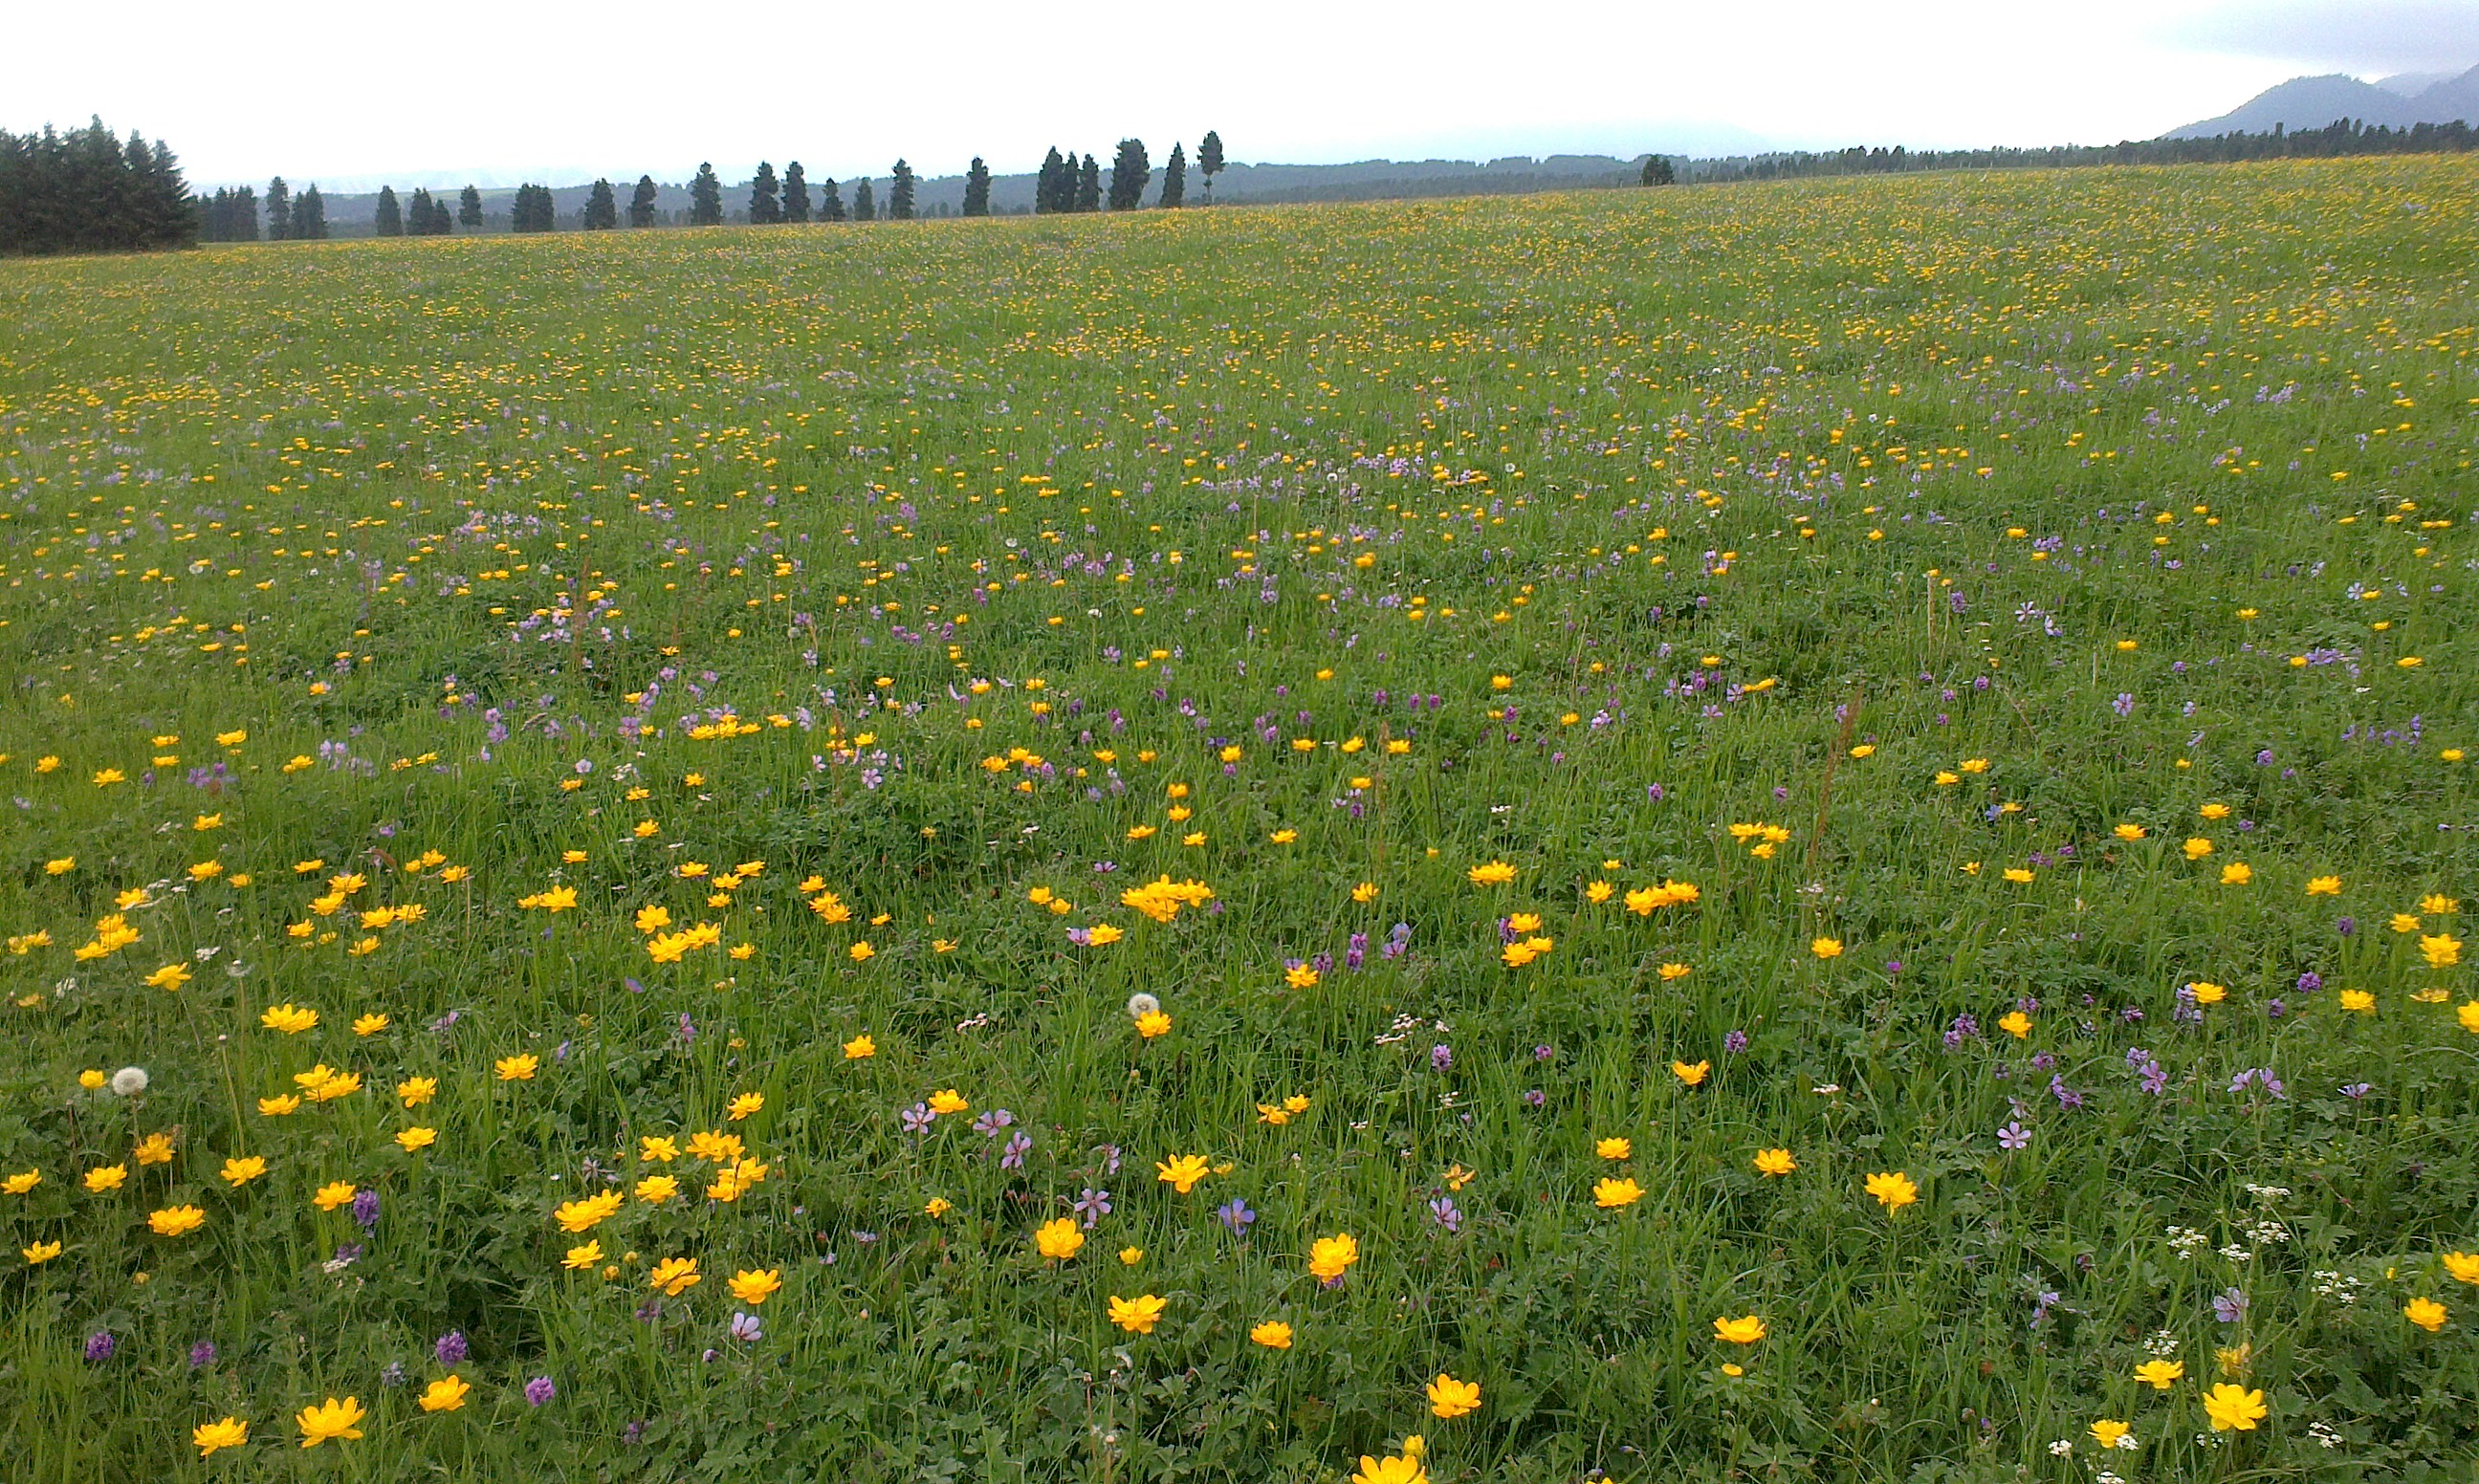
90 192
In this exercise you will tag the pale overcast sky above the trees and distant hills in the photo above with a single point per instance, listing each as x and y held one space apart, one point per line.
504 90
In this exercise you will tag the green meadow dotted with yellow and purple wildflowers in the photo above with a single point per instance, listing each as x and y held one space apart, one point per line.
1828 821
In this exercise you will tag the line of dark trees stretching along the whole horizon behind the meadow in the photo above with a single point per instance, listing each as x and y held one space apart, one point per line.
93 192
